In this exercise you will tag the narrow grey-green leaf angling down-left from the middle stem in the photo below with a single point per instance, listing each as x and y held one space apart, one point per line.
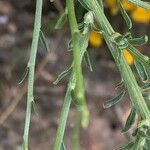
62 75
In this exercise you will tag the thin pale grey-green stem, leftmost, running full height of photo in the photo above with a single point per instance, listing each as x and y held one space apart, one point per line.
31 65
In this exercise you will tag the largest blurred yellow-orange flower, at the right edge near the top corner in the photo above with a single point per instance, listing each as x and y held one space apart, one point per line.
141 15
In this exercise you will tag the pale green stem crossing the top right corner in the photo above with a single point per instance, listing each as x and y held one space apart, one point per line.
140 3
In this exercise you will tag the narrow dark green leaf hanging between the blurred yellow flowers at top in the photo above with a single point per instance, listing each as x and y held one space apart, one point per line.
125 15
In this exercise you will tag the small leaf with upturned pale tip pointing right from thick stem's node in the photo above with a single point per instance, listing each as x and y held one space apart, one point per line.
139 41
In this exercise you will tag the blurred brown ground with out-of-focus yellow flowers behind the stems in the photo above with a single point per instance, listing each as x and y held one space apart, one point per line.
16 26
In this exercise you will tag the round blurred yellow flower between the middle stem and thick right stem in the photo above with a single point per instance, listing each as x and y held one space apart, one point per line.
95 39
